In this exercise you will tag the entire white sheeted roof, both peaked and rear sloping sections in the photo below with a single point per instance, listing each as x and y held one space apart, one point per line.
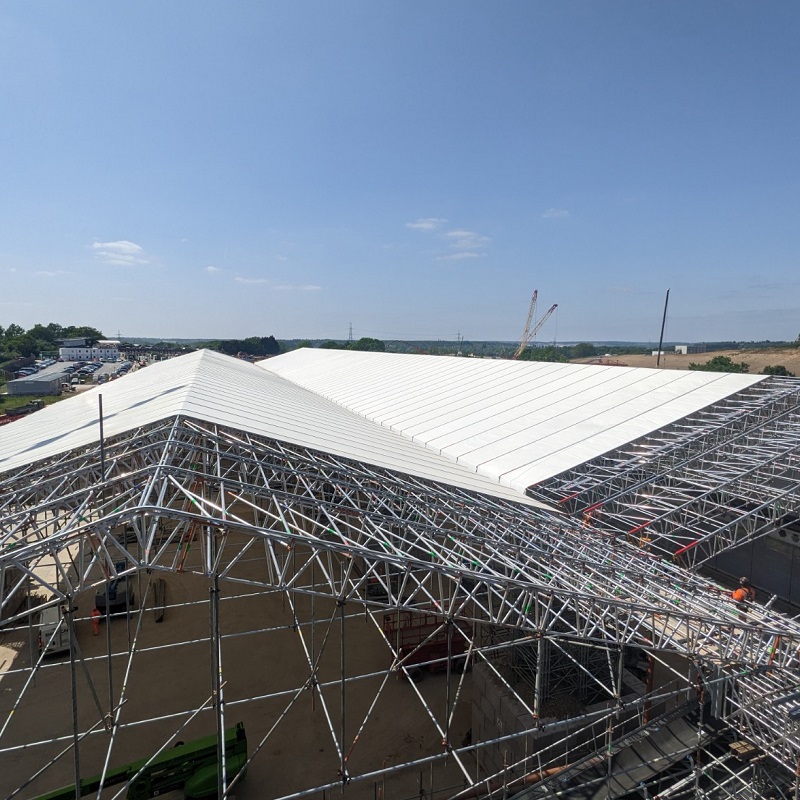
491 426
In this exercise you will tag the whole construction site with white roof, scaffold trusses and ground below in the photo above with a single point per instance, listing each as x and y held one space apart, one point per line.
370 575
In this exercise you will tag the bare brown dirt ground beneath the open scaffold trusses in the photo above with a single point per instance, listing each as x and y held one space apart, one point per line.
265 667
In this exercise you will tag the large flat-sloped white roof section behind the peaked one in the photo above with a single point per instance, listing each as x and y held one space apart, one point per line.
514 422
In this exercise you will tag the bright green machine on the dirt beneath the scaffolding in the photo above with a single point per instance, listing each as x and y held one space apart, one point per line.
191 767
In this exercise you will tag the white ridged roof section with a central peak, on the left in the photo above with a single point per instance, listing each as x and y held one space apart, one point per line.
216 388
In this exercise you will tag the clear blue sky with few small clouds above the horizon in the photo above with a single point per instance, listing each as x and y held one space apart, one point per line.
417 169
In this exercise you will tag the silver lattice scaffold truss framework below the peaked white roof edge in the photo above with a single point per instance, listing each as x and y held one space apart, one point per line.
183 496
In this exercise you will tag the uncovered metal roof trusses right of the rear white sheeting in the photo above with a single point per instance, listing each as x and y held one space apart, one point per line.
716 479
